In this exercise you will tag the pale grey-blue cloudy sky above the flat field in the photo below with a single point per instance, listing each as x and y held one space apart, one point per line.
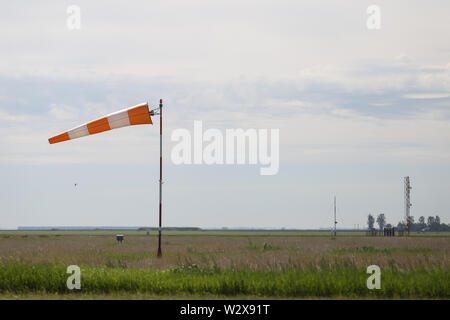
357 109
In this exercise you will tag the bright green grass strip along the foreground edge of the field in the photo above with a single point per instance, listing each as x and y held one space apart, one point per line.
344 281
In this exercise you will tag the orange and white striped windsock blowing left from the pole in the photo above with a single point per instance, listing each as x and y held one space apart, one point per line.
139 114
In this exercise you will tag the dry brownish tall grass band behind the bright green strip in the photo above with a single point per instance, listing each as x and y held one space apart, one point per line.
226 252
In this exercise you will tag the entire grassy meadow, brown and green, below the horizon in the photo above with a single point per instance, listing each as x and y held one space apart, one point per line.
222 264
